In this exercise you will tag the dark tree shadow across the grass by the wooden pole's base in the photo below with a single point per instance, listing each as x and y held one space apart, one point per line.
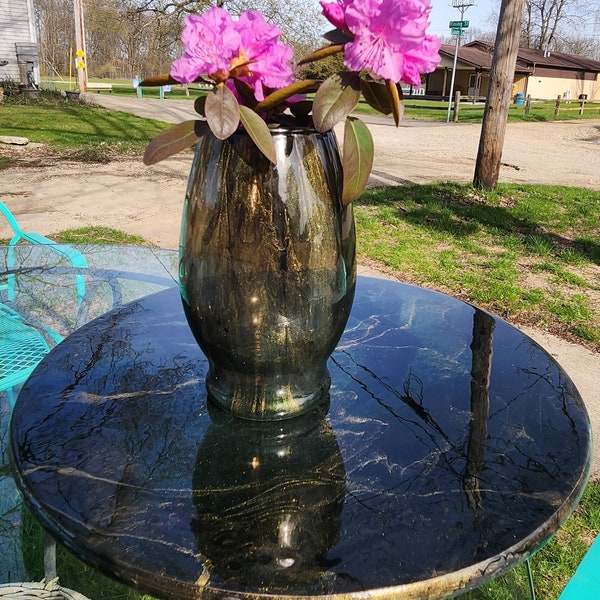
461 211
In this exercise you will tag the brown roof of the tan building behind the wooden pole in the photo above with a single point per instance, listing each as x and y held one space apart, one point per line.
479 55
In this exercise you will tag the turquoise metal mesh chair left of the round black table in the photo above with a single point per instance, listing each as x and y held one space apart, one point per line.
22 343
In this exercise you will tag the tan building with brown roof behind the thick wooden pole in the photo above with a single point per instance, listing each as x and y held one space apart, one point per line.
543 75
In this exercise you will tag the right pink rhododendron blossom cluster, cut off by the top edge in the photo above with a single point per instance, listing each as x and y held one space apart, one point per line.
390 38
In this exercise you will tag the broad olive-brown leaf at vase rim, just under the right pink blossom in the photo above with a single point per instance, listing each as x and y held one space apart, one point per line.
335 100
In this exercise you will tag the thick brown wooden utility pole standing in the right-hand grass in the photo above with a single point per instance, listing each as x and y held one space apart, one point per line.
495 115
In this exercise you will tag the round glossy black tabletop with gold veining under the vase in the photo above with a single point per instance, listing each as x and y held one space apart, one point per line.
452 448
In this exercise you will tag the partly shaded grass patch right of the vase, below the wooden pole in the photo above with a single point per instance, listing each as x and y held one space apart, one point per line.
528 253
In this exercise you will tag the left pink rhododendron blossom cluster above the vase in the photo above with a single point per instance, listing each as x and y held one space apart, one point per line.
248 49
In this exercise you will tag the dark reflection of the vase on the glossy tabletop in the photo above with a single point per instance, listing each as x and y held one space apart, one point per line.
268 500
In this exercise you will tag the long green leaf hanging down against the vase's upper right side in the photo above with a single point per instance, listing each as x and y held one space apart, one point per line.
357 159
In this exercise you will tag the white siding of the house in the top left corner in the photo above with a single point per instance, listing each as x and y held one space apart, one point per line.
16 27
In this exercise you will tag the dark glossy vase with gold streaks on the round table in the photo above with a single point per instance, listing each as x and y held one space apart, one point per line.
267 269
